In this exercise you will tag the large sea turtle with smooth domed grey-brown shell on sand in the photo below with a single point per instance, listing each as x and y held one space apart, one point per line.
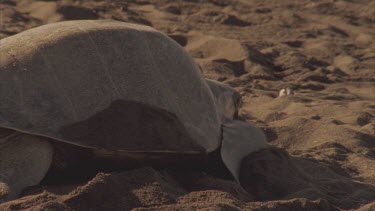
122 93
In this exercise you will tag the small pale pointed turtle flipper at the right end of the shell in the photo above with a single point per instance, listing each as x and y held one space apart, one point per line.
239 140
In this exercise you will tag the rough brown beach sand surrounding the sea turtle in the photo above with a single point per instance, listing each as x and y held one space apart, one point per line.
323 135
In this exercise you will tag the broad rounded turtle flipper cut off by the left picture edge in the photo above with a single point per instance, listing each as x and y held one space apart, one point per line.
24 161
